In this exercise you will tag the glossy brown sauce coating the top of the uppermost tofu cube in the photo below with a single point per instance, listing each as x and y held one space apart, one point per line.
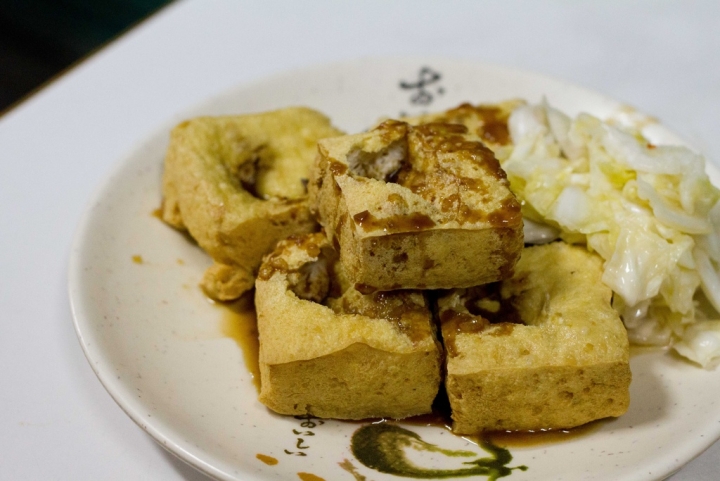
442 163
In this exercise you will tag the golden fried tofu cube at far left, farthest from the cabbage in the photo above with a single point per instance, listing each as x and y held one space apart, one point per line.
237 185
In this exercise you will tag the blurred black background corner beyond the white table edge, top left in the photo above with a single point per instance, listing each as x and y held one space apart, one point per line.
41 38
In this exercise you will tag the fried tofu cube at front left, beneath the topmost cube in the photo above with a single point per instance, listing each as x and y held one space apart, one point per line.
332 352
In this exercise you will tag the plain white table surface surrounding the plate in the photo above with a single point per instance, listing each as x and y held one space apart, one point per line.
56 420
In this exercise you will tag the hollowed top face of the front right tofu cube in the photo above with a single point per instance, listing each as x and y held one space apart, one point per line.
555 309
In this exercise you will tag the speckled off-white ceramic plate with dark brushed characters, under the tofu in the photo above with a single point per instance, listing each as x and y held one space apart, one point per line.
158 347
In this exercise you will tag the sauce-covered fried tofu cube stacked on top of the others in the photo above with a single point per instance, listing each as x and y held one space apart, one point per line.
423 207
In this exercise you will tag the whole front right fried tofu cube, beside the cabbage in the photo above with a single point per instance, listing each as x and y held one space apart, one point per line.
542 350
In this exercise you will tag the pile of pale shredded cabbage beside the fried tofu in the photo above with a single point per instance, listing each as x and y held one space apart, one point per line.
649 211
